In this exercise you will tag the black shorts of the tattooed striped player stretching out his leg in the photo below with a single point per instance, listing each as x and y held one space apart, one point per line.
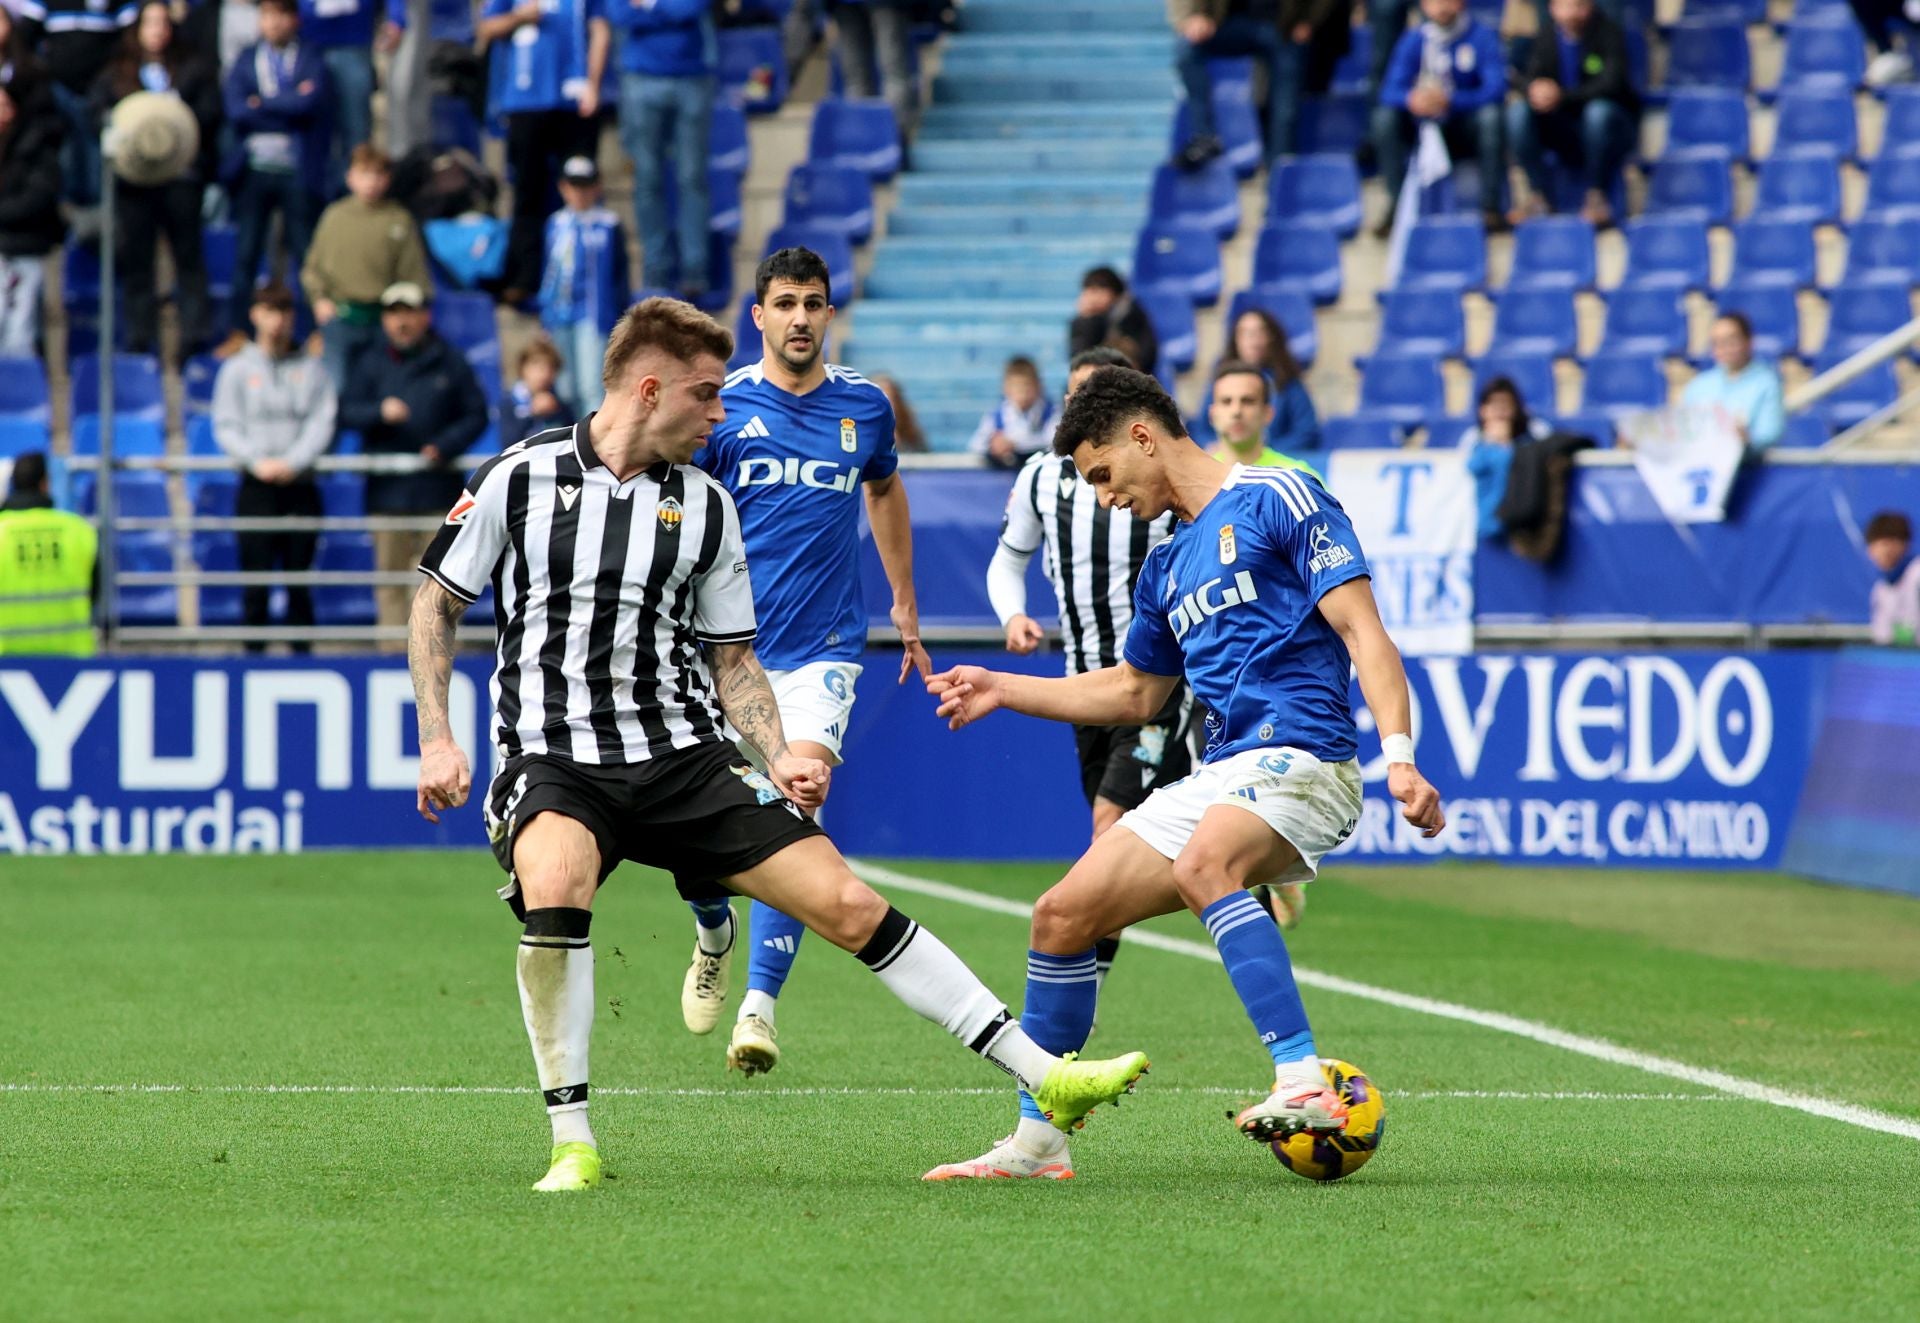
700 813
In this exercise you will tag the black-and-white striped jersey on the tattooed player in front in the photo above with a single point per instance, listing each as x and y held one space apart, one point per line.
604 594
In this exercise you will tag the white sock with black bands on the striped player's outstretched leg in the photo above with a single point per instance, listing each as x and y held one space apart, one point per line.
934 982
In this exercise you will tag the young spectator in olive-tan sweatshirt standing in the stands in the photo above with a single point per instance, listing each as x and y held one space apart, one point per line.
364 245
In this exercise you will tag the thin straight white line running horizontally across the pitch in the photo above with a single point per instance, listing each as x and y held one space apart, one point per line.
754 1094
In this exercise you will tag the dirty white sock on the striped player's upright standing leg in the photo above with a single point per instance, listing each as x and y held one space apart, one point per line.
556 971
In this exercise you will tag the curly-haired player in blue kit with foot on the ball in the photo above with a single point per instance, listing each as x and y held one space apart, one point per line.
1262 600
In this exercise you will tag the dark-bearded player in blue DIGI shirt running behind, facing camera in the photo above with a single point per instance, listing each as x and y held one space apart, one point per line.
802 446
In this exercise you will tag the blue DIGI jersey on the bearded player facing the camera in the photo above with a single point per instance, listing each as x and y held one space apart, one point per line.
794 468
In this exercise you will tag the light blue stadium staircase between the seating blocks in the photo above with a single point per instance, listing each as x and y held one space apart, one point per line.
1034 162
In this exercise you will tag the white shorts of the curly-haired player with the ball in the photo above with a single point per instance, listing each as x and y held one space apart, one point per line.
1312 806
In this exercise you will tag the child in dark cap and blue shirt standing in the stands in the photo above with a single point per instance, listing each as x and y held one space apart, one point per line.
585 287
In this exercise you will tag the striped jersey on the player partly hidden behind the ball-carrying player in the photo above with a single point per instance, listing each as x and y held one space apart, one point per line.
1093 556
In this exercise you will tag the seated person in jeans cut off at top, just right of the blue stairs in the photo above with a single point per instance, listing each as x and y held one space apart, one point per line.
1282 36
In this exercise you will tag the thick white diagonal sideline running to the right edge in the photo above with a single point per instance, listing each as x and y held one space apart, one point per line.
1583 1046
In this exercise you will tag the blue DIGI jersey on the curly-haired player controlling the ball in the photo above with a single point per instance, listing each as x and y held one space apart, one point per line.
1232 602
